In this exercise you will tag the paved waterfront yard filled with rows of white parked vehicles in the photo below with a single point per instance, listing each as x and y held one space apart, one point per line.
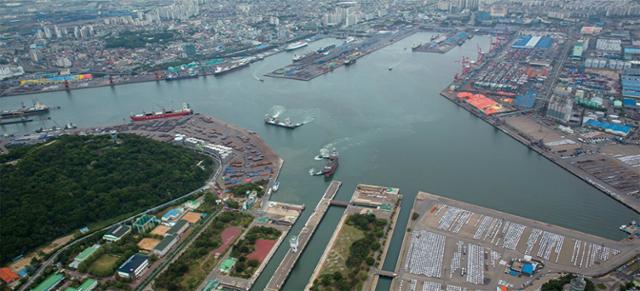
467 247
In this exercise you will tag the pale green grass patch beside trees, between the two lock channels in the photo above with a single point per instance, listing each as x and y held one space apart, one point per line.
340 252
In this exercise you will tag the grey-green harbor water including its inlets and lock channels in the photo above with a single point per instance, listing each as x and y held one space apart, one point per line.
390 127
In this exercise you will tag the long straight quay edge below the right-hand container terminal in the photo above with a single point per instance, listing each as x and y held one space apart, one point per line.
593 181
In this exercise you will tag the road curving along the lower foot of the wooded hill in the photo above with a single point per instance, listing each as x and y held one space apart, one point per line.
55 255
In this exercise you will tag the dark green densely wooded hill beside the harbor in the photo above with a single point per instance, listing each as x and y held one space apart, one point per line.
50 190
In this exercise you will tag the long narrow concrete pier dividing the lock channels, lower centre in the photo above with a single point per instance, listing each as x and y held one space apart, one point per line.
286 265
